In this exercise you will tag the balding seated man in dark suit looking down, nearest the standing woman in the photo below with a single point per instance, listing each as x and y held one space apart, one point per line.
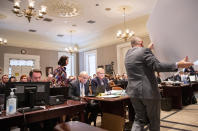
80 88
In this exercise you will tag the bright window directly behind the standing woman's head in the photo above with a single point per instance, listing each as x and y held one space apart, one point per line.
71 65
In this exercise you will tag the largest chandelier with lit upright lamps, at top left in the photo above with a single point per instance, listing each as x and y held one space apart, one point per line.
29 12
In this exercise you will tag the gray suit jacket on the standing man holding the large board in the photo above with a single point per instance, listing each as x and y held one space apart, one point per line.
140 65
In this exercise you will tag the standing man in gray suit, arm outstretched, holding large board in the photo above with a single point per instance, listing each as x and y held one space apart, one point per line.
142 86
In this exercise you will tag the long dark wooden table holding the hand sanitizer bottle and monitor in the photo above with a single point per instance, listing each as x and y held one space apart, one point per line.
22 120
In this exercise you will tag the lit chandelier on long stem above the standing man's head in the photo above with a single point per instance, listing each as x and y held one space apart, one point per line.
127 34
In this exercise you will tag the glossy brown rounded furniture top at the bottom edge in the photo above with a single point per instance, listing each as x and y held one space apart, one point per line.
76 126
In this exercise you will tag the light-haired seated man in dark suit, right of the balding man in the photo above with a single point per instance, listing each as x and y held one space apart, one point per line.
99 81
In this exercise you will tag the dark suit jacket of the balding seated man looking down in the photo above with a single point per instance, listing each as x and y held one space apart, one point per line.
74 89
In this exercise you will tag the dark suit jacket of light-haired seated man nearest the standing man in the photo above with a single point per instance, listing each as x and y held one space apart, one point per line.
96 82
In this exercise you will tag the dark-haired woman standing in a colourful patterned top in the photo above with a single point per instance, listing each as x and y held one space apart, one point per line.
60 73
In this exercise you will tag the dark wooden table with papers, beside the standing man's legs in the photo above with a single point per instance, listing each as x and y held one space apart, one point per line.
114 109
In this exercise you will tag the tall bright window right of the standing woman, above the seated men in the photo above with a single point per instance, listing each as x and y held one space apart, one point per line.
90 62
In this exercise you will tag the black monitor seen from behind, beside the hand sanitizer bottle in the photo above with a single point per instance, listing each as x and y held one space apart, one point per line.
30 94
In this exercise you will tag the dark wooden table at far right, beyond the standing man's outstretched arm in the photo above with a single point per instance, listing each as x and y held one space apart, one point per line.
180 95
